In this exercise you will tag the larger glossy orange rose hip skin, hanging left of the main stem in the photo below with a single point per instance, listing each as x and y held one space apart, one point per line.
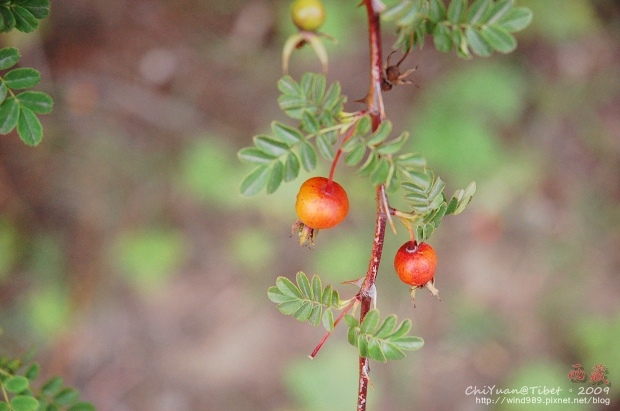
321 203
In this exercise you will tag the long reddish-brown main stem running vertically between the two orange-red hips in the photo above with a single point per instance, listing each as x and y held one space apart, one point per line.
374 101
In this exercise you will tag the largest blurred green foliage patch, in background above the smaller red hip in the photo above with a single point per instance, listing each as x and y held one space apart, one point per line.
459 118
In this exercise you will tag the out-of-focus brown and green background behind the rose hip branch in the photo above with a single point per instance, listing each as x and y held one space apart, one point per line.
128 258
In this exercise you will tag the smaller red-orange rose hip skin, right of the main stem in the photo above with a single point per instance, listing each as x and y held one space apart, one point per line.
415 263
